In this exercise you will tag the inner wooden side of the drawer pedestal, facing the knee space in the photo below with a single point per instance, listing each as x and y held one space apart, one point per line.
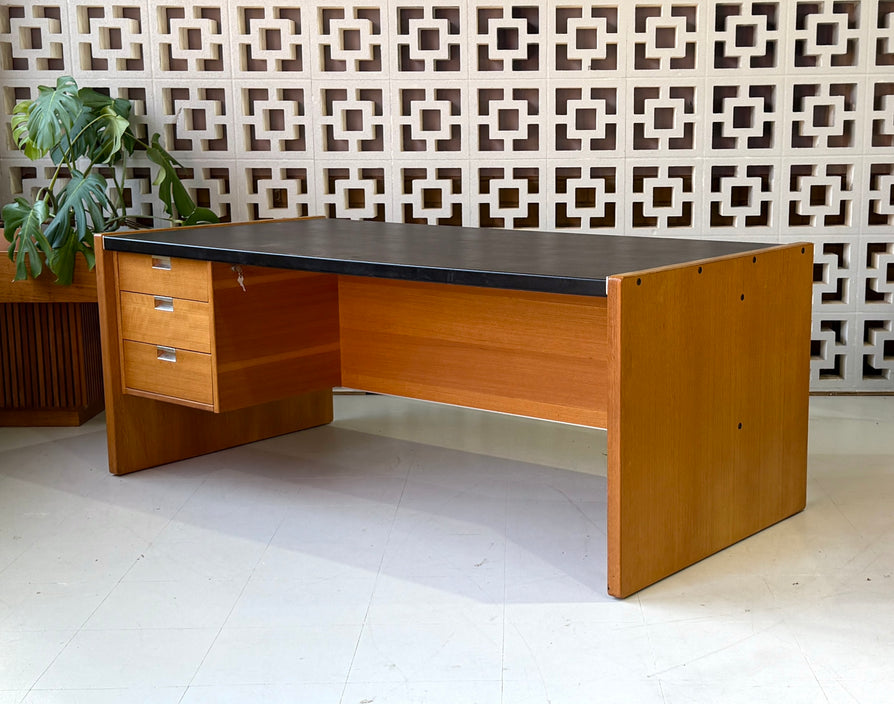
275 334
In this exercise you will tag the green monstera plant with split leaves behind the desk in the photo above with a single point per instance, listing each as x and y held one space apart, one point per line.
89 138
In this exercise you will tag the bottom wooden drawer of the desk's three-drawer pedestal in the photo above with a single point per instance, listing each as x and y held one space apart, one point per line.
171 372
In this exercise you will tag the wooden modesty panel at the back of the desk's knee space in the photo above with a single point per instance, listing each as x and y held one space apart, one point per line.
534 354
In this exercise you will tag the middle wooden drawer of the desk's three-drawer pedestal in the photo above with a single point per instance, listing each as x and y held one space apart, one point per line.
161 320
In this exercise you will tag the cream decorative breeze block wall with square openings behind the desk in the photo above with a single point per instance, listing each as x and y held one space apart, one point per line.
766 121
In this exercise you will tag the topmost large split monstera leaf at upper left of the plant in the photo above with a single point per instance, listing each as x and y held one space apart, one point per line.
50 116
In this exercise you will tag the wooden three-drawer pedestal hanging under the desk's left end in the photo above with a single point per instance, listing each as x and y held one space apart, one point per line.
216 337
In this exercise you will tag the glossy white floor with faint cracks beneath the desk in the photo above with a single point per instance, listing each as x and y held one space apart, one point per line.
418 553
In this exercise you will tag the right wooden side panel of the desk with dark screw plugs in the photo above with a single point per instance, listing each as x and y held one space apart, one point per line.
709 368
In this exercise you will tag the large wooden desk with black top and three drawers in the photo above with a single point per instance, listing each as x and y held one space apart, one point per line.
693 354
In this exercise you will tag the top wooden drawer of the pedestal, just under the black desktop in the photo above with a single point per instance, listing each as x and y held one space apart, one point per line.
164 276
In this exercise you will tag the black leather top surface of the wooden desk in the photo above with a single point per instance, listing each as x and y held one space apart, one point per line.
555 262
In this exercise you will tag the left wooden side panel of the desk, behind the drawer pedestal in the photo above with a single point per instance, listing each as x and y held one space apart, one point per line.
144 432
